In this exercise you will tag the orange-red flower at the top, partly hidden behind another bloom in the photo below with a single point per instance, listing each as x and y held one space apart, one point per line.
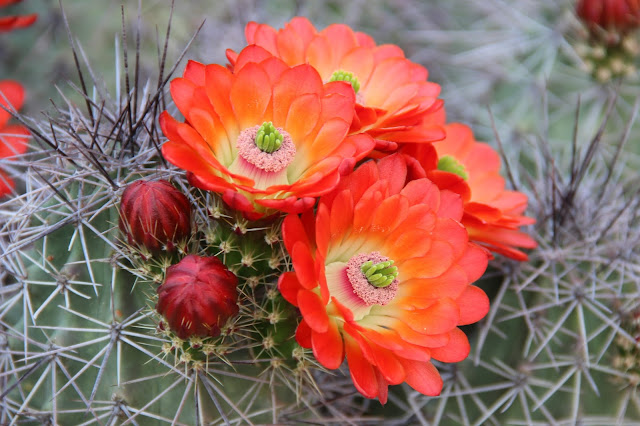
394 98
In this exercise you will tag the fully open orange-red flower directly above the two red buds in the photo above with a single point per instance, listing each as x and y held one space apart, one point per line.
220 143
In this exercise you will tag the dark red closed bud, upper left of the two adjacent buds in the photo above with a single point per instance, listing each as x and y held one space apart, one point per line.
155 215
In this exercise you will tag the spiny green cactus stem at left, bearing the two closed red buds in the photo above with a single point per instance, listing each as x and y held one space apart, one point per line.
81 339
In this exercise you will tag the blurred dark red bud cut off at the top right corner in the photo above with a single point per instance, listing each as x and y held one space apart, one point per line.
615 15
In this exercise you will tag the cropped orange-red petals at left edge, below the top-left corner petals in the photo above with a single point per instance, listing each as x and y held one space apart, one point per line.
13 138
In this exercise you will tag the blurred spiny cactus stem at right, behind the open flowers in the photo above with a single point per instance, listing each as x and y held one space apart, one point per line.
552 347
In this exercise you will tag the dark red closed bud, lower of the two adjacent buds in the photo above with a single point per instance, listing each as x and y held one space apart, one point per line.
198 296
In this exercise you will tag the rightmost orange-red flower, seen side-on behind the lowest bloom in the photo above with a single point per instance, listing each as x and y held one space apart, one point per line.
492 215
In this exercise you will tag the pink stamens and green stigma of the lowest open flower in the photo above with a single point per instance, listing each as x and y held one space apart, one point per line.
373 278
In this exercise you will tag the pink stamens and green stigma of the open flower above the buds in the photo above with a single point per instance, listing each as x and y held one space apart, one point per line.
266 147
